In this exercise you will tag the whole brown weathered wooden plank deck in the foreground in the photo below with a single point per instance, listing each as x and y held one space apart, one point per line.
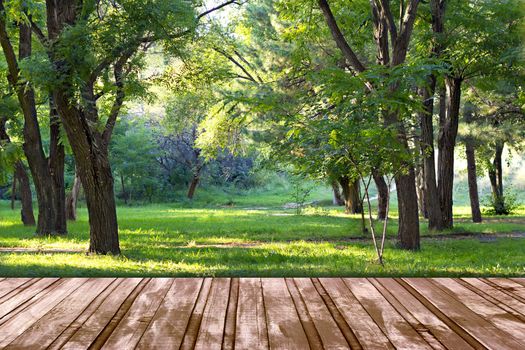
253 313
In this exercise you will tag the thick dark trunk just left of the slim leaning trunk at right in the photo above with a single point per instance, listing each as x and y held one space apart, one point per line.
447 142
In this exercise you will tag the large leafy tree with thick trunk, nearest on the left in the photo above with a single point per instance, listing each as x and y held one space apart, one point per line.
94 52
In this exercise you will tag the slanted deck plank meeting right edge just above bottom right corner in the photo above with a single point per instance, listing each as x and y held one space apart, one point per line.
494 314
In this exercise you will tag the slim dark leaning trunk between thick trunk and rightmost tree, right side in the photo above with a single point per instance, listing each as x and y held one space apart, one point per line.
471 171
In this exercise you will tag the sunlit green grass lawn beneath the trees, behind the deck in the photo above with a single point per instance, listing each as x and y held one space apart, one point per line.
211 240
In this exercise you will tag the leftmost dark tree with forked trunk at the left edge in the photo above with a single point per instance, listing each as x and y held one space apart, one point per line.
47 172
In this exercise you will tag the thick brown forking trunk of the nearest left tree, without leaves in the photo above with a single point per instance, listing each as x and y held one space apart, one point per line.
88 143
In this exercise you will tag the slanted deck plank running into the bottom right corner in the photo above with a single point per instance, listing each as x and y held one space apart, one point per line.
479 328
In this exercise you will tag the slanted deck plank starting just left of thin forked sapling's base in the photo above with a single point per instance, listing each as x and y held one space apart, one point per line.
393 325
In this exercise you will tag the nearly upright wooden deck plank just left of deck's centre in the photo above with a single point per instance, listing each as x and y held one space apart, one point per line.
251 331
